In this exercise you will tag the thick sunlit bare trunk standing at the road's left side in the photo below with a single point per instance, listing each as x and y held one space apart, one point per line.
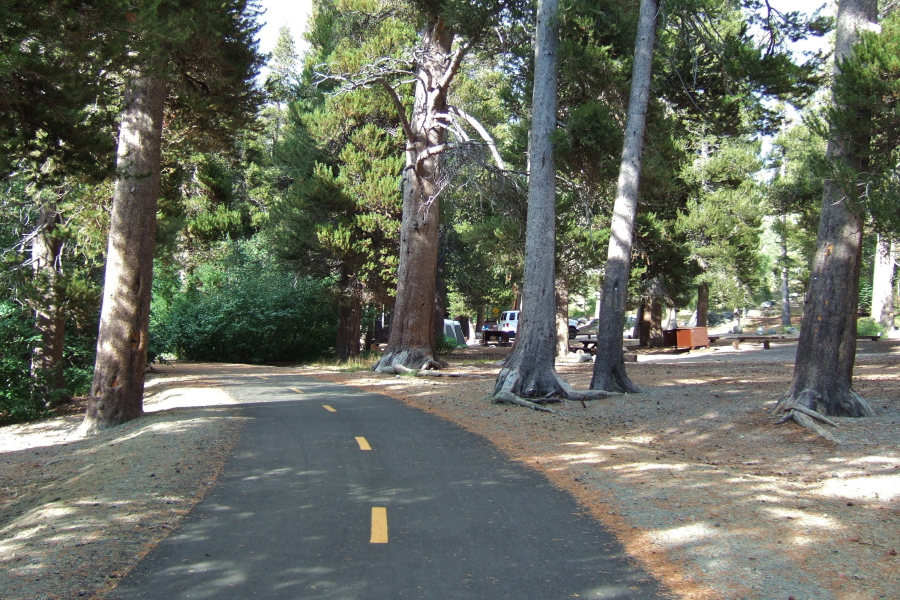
118 387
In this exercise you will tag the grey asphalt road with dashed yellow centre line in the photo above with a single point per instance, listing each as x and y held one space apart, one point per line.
338 494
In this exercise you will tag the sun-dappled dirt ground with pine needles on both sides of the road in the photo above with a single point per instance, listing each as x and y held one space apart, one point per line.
692 475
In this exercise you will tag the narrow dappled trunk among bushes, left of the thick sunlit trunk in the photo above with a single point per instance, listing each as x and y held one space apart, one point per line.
47 362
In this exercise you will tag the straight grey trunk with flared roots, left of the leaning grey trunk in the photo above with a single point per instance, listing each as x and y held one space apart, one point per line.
530 370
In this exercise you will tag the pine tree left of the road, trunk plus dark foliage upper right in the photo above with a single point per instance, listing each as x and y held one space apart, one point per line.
202 71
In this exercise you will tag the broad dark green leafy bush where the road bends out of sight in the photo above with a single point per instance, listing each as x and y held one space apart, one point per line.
246 309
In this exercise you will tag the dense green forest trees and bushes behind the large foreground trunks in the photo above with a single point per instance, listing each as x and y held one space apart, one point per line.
279 215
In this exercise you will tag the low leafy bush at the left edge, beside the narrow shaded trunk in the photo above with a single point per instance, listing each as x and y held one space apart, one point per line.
17 340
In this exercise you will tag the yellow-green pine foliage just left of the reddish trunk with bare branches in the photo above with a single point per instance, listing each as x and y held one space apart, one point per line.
342 155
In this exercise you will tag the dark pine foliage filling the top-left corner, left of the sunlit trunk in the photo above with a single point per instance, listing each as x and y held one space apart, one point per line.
57 87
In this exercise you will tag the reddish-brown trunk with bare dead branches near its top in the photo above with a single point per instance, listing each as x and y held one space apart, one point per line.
412 341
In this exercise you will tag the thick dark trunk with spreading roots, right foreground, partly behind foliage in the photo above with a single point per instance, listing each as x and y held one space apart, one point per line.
826 352
